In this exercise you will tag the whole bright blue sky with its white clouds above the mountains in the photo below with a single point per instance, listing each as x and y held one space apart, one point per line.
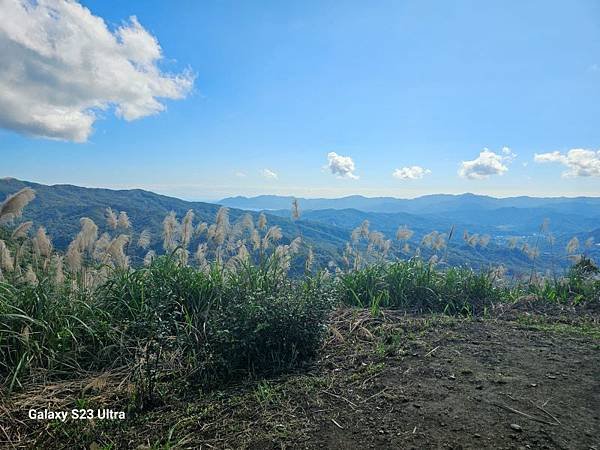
203 100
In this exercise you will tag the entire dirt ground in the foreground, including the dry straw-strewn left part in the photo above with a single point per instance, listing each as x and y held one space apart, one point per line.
395 381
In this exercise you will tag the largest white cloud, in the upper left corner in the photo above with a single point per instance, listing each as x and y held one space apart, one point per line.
61 65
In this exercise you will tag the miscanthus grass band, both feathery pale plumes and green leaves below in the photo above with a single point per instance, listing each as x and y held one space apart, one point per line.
218 301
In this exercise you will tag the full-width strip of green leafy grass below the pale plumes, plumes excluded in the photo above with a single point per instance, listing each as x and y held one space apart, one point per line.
213 326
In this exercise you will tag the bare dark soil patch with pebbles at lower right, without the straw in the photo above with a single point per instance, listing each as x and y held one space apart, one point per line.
472 385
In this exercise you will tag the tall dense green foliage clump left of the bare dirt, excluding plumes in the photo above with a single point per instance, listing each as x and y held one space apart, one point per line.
211 327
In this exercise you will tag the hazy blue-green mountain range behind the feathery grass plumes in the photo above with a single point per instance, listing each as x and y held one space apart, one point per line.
326 224
